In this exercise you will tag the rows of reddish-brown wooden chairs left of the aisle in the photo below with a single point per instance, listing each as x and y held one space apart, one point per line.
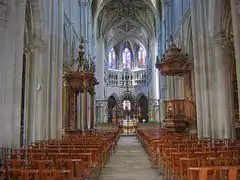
77 155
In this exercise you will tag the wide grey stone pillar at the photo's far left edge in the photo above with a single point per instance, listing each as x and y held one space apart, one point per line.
11 48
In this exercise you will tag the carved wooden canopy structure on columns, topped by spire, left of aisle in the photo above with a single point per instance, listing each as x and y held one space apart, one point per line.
79 78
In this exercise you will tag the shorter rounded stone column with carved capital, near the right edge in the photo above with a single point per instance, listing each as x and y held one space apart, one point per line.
224 105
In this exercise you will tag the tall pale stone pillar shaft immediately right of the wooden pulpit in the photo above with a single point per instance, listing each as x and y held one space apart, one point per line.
199 68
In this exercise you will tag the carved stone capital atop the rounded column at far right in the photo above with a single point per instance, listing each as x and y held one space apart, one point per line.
223 40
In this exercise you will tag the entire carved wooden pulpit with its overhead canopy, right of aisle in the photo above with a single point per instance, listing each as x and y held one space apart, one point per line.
179 113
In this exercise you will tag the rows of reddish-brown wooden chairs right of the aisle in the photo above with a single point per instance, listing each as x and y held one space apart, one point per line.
180 156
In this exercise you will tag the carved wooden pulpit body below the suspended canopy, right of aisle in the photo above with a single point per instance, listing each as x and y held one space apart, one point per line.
179 113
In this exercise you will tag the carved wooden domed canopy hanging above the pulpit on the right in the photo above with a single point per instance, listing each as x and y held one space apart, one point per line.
174 62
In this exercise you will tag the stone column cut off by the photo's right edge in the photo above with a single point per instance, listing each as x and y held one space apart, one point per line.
235 10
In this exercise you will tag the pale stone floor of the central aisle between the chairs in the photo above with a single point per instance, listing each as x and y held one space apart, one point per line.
129 162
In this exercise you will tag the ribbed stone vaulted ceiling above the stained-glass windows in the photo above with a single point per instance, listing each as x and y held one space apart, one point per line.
132 20
